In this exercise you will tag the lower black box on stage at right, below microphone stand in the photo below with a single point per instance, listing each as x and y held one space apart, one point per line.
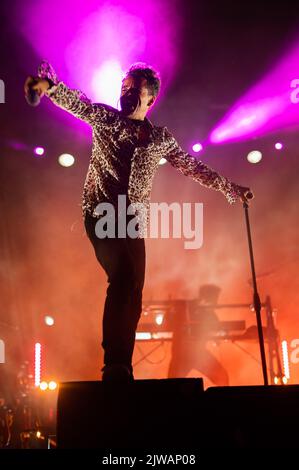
252 417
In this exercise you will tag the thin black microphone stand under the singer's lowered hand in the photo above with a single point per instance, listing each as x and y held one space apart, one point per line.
256 298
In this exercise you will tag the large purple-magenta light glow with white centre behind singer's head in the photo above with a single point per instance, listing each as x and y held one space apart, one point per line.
95 41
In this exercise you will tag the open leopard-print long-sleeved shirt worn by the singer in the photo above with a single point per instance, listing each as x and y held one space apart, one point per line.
111 133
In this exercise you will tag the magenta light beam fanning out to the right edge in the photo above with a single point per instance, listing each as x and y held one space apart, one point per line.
270 105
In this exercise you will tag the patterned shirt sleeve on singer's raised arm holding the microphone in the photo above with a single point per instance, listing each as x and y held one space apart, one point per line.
73 101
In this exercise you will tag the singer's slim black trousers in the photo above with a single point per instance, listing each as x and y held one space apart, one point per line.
123 260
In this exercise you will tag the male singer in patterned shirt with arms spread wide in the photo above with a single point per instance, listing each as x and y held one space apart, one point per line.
126 151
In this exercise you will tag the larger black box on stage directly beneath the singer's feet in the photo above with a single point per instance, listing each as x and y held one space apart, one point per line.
142 414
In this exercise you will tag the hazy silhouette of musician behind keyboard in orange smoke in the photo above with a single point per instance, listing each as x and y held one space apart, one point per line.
189 347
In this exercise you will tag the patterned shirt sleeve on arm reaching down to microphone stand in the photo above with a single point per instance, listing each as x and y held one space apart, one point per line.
197 170
